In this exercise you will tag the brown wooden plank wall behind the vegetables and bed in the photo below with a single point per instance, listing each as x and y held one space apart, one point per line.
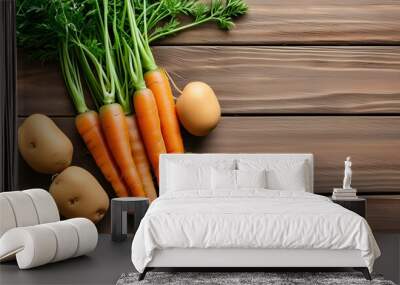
319 76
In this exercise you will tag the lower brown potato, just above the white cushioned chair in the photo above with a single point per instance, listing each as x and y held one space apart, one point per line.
78 194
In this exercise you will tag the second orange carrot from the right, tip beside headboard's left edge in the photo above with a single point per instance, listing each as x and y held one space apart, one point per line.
149 125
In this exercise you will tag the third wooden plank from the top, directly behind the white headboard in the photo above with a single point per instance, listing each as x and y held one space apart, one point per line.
373 143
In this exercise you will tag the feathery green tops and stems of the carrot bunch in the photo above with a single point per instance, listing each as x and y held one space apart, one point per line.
108 41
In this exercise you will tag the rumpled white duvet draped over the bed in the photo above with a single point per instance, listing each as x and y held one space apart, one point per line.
250 219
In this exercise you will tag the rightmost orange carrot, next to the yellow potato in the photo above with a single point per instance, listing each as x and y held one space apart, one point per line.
158 82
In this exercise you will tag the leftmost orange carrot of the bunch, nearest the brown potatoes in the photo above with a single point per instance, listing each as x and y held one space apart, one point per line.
88 125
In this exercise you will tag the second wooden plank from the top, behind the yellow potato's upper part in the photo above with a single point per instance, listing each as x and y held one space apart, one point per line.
256 80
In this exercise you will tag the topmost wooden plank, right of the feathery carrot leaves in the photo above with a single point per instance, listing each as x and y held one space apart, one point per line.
306 22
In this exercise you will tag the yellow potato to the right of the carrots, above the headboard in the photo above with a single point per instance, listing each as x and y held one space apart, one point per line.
198 108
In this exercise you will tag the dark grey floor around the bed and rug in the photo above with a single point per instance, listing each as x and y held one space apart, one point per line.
110 260
